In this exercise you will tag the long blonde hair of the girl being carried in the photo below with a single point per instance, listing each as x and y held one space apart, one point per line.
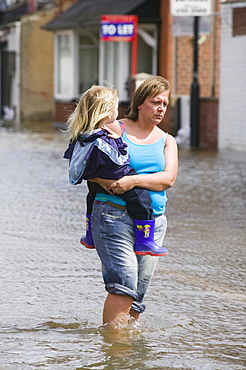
94 105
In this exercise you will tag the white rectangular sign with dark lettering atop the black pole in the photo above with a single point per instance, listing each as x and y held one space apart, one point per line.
190 7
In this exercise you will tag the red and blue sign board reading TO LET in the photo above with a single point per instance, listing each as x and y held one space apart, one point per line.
118 27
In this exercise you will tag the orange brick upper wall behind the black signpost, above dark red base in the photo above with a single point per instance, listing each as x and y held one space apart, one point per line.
176 55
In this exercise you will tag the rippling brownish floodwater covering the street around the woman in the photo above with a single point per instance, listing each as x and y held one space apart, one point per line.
51 287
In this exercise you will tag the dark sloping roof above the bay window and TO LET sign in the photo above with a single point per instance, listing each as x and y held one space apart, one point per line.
88 12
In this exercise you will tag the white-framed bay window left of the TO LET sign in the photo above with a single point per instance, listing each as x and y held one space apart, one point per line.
76 63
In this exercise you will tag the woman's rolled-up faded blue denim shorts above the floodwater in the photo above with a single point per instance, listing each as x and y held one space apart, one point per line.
123 271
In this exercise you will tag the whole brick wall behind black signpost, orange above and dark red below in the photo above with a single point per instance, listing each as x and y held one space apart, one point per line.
176 64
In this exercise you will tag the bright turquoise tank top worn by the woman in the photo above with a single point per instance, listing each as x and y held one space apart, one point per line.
145 159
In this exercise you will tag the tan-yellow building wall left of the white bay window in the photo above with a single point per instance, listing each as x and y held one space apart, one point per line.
36 70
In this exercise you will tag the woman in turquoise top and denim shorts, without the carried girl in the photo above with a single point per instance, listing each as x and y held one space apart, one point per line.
153 155
